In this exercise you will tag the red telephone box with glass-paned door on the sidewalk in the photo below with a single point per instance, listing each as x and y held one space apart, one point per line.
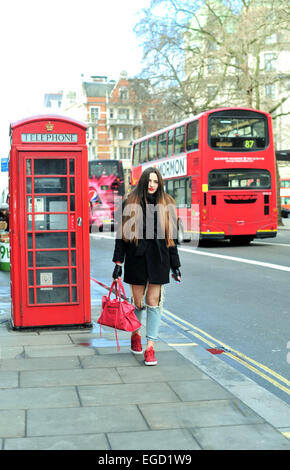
49 223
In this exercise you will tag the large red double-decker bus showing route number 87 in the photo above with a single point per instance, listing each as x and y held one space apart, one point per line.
219 167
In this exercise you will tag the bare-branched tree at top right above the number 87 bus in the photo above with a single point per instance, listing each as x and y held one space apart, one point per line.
200 55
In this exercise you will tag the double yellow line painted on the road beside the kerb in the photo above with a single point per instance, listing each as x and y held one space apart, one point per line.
242 357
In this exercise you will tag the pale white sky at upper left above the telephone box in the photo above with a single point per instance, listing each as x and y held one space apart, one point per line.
46 46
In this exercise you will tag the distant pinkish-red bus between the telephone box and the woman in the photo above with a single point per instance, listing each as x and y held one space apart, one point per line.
106 188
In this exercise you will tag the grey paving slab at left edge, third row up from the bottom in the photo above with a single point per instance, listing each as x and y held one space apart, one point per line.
48 397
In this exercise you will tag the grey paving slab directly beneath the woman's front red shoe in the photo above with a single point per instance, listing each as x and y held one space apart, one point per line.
160 373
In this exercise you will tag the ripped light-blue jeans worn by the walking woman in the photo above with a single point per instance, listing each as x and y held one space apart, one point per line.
153 314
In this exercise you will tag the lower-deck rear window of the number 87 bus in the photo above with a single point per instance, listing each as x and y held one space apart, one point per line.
239 179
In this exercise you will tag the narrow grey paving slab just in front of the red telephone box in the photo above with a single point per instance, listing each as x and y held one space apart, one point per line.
58 351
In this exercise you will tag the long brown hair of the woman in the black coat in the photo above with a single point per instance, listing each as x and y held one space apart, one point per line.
139 196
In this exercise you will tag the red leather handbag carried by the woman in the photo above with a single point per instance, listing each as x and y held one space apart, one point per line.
117 313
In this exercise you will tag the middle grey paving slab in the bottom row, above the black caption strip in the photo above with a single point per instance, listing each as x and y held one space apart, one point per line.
177 439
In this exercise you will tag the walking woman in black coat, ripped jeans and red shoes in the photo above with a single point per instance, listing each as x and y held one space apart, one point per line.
146 242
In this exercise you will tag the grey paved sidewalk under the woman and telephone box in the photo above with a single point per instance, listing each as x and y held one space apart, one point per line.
70 389
